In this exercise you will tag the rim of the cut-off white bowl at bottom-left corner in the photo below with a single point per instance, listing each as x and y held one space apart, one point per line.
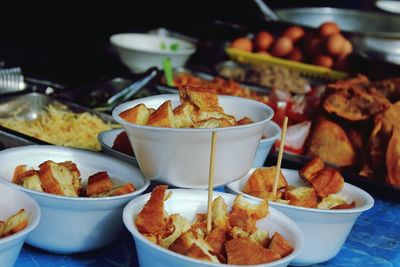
32 224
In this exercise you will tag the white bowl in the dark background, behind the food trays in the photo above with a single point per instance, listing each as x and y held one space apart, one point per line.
141 51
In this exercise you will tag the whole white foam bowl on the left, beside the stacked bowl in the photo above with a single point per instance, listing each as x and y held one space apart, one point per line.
72 224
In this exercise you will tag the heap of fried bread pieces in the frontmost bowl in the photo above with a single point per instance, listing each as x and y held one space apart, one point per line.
233 239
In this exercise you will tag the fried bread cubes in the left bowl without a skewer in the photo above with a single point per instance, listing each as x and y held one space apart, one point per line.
64 178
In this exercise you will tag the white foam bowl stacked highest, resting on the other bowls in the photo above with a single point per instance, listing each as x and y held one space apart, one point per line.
181 156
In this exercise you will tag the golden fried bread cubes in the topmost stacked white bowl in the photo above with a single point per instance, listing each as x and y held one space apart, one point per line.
199 108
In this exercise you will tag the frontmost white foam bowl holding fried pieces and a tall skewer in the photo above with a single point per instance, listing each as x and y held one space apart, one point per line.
188 203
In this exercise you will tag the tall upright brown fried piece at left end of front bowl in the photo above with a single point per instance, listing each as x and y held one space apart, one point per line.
151 219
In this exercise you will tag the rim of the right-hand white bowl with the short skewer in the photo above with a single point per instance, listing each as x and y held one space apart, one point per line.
369 200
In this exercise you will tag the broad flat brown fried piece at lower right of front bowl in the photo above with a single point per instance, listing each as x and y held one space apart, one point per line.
243 251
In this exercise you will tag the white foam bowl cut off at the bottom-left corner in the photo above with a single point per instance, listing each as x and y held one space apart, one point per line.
11 201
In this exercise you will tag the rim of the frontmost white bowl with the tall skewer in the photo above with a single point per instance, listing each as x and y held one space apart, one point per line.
129 224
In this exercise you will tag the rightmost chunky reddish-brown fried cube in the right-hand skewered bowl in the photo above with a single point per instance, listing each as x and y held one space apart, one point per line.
327 181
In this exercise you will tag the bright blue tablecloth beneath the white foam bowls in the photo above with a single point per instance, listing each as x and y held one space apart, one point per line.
373 241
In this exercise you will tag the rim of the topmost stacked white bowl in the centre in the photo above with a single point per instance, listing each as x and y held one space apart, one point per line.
118 109
